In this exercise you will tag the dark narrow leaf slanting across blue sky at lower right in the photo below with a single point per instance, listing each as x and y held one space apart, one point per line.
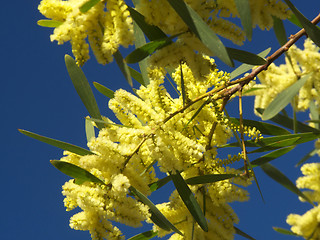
279 177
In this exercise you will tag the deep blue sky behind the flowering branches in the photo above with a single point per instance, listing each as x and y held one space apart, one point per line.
37 95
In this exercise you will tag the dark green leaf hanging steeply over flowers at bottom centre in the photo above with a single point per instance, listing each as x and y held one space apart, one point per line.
189 200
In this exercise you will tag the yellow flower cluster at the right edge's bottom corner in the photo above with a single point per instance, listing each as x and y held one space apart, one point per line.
307 225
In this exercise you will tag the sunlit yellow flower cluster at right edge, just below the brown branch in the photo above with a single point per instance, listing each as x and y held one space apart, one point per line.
277 79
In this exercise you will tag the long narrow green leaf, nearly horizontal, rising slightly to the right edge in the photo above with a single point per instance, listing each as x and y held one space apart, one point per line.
303 137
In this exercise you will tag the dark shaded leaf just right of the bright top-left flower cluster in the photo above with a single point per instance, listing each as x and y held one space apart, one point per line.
151 31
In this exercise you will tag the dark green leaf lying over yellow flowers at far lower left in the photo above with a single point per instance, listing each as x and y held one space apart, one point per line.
78 173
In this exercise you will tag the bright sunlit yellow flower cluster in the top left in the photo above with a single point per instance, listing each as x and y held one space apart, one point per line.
107 26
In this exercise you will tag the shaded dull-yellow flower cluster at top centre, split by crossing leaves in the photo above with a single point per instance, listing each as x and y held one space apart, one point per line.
214 13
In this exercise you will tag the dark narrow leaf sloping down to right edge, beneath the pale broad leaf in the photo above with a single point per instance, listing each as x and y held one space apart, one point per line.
287 122
